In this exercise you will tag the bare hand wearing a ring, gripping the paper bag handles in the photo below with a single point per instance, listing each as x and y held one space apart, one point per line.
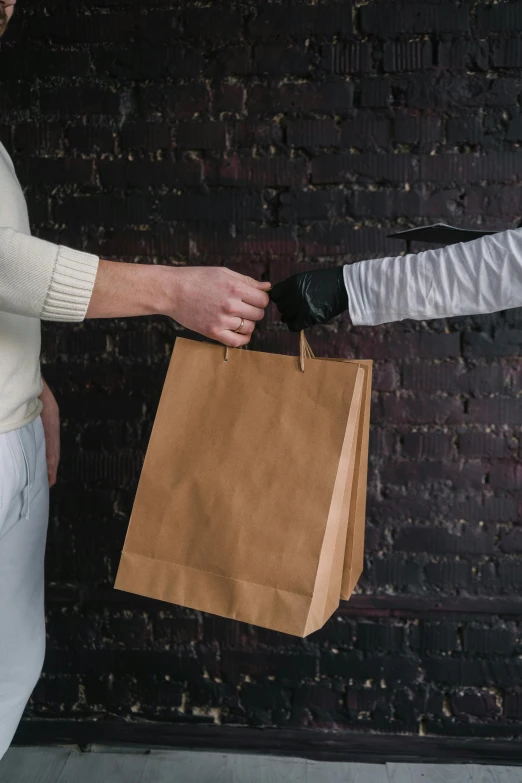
213 301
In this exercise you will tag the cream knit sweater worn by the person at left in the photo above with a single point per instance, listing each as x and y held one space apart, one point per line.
38 281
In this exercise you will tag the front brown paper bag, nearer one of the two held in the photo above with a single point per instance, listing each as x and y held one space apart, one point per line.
244 500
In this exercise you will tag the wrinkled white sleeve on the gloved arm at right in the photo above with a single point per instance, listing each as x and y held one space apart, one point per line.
481 276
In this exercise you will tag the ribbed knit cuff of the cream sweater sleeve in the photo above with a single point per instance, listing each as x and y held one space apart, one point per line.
71 286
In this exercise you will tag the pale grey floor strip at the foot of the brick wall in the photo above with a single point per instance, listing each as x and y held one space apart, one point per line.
111 765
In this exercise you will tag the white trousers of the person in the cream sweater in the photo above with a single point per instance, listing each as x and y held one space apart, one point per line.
24 508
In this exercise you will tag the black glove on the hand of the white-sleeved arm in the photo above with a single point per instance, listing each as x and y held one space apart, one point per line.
310 298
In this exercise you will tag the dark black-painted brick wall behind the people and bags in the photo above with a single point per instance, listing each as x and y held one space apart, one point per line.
268 137
